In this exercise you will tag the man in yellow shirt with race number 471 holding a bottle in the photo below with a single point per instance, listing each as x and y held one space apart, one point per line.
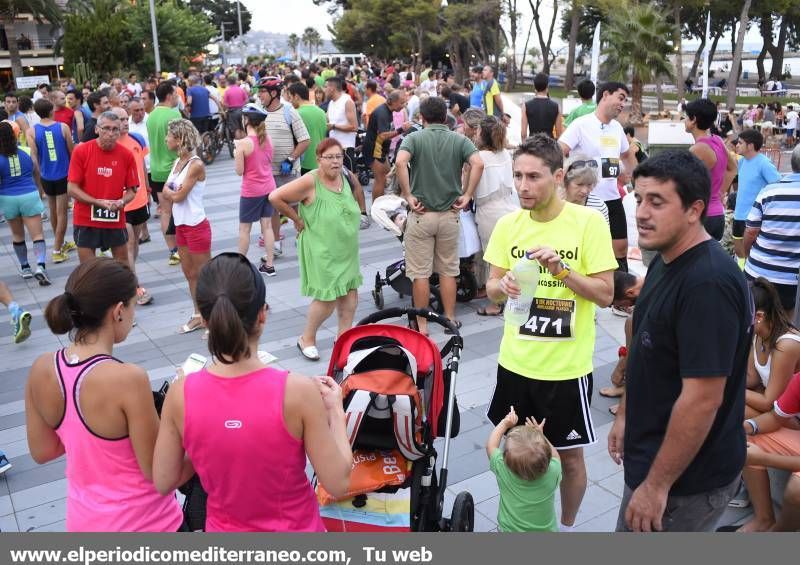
545 365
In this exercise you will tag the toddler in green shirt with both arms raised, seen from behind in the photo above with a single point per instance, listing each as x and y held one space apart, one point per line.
528 471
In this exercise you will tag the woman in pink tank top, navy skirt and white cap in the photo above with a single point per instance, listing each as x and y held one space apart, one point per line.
253 157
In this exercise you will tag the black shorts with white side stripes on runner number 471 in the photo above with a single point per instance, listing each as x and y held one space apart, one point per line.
565 405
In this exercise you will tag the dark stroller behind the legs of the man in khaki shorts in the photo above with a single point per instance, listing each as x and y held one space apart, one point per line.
390 212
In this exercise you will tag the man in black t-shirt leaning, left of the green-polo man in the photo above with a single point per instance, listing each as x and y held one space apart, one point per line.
380 132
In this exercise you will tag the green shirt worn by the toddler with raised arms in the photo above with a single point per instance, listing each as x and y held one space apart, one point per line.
526 506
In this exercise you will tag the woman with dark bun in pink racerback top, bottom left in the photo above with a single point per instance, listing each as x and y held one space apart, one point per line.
99 411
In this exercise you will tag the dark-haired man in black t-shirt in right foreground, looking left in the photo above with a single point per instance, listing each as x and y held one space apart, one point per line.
678 429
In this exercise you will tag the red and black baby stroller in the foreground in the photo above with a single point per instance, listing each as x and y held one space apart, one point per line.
399 394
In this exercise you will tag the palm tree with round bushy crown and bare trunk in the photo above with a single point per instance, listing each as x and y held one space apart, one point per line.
638 43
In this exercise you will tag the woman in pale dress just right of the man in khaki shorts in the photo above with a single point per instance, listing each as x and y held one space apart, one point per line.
494 195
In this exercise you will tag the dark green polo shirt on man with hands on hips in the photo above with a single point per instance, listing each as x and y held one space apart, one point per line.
437 158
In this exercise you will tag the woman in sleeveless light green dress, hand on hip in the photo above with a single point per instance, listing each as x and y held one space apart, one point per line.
327 222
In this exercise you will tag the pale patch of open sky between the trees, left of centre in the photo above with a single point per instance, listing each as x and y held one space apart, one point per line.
288 16
